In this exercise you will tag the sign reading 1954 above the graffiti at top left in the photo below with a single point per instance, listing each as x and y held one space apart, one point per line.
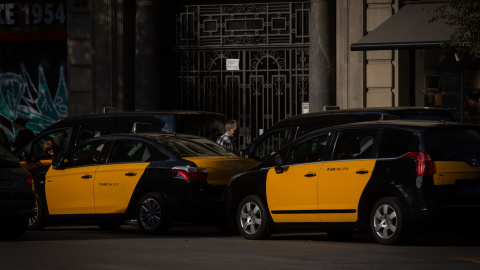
32 13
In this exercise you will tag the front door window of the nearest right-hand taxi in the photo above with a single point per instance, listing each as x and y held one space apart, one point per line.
308 151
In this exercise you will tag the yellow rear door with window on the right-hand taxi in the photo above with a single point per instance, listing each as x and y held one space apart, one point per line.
342 181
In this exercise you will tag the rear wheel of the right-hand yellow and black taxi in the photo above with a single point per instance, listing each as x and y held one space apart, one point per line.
388 221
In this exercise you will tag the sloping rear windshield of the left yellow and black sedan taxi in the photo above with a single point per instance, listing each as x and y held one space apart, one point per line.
193 147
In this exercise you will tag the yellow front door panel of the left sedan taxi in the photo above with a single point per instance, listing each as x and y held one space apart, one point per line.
70 190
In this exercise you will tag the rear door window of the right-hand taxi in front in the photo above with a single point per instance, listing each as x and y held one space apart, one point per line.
355 144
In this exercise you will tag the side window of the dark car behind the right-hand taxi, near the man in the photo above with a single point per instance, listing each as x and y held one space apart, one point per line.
272 143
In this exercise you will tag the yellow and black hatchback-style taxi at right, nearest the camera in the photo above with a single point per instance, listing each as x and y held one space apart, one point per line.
387 177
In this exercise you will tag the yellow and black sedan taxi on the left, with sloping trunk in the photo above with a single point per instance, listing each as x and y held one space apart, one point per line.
155 178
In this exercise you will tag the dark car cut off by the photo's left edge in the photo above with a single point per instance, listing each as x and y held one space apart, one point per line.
17 197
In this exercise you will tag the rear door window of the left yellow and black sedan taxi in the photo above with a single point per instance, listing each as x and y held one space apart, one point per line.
129 151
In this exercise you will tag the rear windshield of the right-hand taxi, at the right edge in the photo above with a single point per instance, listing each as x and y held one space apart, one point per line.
454 144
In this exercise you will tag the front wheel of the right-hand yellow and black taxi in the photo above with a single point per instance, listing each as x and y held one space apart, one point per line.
253 220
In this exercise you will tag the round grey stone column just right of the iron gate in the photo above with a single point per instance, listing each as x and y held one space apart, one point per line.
322 55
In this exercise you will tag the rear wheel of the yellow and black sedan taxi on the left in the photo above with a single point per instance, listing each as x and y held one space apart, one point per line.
152 214
